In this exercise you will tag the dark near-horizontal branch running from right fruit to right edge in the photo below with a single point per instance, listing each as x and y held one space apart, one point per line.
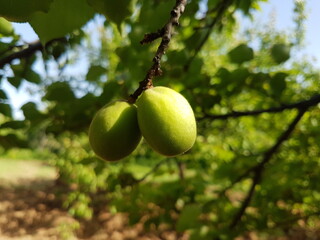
235 114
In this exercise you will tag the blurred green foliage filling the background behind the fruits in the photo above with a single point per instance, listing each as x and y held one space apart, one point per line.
232 71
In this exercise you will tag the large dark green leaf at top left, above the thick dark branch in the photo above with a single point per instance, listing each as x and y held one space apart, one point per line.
63 17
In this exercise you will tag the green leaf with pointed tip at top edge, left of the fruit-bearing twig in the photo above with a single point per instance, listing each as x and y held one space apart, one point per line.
115 11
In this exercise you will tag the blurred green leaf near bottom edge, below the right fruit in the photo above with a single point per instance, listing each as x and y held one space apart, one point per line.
188 218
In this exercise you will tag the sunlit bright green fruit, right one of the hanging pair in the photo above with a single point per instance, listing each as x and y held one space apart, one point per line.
166 121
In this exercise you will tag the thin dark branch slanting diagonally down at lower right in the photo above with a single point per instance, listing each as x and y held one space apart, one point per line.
259 168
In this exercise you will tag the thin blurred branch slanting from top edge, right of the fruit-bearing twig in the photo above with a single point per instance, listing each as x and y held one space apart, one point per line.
220 9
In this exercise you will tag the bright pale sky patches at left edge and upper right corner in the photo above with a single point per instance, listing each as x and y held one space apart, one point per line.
282 9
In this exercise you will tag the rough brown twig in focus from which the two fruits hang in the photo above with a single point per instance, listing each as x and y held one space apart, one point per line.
165 33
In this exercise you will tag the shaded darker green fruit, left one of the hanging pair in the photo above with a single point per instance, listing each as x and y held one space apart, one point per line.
114 132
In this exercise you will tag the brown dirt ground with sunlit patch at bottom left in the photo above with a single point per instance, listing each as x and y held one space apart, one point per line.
29 210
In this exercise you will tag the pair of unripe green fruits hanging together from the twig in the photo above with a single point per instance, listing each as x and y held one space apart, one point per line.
161 115
